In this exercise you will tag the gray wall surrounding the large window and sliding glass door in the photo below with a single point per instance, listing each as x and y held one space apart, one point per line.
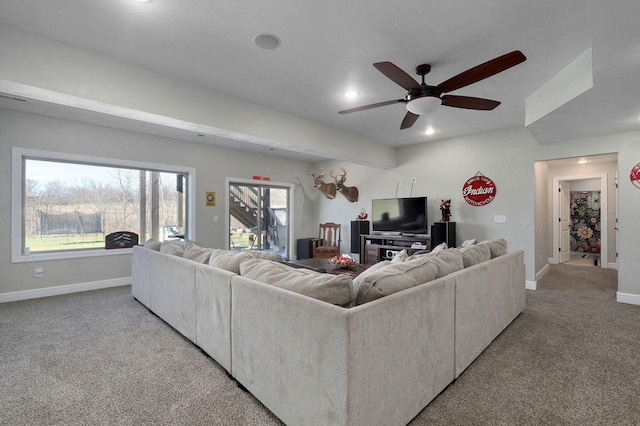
212 166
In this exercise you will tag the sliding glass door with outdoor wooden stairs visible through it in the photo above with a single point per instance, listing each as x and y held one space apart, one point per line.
258 216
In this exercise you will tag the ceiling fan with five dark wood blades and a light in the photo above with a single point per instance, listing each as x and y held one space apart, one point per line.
422 98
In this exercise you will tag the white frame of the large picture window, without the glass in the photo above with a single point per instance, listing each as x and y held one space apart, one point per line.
19 155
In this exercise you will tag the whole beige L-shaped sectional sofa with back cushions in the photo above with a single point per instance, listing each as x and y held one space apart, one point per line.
312 362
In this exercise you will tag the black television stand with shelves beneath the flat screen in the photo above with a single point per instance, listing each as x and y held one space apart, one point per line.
375 248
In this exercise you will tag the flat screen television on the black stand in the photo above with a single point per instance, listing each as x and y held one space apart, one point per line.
399 216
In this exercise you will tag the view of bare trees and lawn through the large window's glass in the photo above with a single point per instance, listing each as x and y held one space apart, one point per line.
63 213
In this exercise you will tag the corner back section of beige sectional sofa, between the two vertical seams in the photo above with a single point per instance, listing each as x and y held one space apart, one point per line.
313 363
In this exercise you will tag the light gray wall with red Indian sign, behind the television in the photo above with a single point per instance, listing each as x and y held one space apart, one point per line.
514 160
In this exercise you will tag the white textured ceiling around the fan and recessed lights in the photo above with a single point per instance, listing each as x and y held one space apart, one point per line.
329 47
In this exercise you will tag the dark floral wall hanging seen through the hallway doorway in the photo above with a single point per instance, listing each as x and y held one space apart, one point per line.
585 221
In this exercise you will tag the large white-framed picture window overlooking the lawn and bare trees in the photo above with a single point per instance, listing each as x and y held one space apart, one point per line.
65 205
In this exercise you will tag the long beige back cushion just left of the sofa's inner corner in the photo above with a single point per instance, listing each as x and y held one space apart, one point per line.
334 289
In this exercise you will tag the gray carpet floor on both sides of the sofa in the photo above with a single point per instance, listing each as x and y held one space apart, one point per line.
100 358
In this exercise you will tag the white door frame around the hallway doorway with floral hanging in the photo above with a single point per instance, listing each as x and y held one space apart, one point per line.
604 212
